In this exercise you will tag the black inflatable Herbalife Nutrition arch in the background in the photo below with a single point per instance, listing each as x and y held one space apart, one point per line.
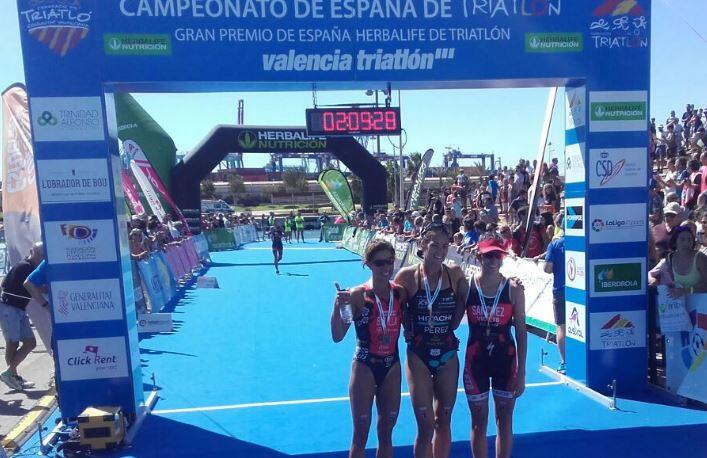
187 174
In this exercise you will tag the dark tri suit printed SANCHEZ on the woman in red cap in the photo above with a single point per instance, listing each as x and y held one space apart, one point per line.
491 360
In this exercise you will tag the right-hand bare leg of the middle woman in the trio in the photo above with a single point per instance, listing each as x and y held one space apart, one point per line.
445 394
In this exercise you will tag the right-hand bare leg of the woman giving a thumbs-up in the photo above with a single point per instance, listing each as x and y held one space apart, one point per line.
388 405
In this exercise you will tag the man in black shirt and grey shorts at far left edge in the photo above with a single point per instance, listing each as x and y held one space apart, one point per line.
14 321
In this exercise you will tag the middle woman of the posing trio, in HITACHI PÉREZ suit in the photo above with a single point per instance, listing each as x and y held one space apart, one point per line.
434 311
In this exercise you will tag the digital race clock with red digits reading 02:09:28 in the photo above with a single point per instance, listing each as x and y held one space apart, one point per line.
353 121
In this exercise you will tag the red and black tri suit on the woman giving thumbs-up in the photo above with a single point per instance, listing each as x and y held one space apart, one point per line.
378 330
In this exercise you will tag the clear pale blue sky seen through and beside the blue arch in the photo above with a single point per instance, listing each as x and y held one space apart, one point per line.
505 122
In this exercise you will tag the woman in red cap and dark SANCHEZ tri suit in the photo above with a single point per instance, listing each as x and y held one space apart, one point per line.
494 303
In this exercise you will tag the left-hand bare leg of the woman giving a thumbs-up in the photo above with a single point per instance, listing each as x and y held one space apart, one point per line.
362 389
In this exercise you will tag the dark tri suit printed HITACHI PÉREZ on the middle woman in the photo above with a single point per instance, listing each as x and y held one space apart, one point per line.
432 337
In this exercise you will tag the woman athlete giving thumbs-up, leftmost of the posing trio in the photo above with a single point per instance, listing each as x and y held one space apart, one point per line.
377 313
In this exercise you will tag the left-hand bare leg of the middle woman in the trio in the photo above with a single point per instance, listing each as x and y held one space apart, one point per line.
421 393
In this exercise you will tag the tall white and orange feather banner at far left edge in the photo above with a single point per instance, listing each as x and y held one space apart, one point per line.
19 191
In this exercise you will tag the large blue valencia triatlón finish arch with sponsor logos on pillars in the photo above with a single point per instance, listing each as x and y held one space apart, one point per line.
78 54
